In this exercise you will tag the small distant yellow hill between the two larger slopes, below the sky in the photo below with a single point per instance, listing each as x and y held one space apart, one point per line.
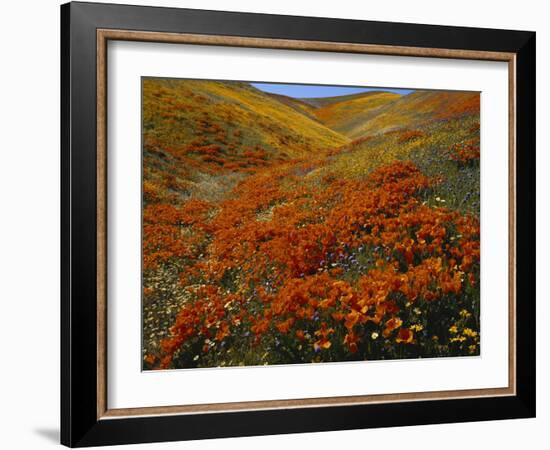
351 112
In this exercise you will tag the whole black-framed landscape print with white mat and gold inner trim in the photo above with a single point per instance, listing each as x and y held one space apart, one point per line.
276 224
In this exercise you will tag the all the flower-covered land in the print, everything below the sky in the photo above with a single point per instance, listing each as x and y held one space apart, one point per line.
283 230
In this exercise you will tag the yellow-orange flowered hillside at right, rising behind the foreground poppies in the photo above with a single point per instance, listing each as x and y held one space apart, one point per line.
435 147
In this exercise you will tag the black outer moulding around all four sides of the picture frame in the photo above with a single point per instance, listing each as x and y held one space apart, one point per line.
79 426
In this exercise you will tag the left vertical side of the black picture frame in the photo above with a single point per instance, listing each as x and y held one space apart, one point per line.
79 228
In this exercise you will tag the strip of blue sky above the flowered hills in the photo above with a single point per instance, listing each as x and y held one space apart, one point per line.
312 91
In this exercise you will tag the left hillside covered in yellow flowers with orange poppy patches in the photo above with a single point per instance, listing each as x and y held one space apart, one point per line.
198 136
